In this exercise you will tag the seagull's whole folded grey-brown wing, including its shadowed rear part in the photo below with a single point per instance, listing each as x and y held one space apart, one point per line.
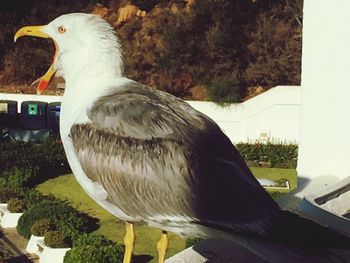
157 157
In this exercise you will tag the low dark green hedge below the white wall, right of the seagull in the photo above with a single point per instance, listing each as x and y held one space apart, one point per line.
274 155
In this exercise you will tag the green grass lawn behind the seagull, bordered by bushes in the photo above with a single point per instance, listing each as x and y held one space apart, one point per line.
66 187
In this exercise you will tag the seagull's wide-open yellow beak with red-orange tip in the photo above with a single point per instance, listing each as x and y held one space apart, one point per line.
37 31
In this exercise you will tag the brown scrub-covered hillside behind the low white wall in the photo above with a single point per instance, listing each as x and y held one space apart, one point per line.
220 50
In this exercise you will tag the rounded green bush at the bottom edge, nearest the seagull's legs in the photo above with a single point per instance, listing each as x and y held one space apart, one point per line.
94 248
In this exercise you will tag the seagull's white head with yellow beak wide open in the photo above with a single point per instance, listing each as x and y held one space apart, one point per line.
86 47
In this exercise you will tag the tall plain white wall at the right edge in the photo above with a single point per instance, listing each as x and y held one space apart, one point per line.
325 111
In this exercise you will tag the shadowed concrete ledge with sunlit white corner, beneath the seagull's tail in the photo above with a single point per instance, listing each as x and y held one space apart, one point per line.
256 251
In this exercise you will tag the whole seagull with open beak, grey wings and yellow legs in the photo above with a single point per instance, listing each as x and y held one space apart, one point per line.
147 156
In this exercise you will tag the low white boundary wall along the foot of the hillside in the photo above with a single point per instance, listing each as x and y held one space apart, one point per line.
274 113
